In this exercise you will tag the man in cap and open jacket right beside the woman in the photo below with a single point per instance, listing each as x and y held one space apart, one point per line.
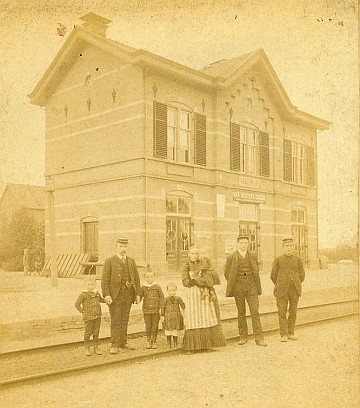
243 282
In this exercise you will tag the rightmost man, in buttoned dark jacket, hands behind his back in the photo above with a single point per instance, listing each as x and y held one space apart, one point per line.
287 274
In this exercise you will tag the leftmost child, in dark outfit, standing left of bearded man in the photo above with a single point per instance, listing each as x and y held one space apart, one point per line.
88 303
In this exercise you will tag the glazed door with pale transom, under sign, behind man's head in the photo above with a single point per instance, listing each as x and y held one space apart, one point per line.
249 224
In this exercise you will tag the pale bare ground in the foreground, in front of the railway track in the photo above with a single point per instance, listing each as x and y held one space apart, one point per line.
320 369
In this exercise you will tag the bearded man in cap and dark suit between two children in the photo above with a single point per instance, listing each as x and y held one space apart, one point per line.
120 285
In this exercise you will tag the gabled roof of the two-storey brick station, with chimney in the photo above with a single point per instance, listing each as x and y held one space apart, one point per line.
216 76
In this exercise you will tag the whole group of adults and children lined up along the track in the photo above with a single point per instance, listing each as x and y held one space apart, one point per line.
199 315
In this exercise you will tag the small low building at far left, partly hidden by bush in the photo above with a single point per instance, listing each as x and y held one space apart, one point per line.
22 196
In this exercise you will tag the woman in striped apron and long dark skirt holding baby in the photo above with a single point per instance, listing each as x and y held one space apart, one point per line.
203 330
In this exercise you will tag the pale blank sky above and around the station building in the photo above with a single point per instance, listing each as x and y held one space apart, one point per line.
312 45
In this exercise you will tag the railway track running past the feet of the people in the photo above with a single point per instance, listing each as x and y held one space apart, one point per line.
48 362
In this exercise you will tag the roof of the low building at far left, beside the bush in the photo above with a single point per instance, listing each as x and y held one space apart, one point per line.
26 195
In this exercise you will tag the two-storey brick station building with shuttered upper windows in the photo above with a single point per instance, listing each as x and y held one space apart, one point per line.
144 147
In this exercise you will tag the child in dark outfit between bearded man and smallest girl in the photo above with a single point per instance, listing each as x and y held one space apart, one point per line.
153 299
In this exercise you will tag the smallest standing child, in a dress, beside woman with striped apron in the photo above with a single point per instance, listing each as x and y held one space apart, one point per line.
173 320
